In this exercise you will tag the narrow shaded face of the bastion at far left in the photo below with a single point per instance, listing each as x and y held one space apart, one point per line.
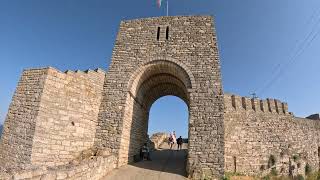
19 127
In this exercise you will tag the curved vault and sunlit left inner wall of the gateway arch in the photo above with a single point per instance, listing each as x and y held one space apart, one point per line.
150 82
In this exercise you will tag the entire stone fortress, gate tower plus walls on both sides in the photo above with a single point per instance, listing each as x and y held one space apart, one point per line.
54 117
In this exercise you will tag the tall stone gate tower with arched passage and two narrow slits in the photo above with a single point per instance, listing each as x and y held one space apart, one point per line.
154 57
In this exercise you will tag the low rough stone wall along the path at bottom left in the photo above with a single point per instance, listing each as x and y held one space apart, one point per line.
93 168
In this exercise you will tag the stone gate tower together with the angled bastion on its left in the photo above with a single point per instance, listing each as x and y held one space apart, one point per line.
54 112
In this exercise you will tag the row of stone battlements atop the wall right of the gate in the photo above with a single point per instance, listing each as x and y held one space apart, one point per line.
236 102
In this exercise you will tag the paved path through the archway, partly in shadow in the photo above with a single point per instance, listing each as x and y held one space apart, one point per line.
166 164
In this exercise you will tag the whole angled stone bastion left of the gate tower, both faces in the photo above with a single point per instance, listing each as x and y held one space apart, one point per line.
52 117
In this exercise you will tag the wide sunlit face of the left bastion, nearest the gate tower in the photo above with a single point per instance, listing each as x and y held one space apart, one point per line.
67 117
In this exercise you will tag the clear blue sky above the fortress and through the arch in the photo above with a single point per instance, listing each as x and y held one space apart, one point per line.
257 40
